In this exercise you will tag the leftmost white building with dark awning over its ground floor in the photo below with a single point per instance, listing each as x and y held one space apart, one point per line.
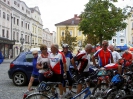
6 41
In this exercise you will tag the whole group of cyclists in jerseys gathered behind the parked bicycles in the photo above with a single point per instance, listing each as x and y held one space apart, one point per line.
54 66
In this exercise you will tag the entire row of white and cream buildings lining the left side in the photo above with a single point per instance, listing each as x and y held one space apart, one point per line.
18 21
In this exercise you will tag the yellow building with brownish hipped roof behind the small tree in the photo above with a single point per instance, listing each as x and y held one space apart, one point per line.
73 28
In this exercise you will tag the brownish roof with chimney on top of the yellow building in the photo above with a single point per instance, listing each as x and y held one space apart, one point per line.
73 21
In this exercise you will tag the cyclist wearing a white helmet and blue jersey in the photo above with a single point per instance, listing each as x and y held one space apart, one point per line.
68 56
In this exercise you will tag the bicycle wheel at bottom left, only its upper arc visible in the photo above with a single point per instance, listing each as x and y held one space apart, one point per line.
37 96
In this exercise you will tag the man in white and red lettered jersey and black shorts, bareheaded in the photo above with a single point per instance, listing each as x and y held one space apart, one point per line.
58 66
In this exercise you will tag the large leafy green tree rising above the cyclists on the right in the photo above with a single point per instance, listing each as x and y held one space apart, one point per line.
102 18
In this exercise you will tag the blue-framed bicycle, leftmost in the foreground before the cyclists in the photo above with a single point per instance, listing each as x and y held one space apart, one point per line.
47 87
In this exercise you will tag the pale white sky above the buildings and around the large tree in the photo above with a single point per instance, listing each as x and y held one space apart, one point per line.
56 11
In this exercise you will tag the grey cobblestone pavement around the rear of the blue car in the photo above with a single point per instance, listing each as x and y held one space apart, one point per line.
7 89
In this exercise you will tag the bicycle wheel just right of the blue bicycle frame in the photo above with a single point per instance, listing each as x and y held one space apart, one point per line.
98 90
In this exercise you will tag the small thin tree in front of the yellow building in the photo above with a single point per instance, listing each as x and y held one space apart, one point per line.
71 41
